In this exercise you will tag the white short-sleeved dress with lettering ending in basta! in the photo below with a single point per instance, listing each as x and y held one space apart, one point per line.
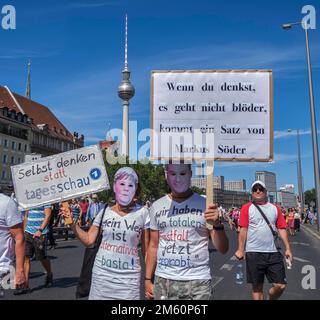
118 255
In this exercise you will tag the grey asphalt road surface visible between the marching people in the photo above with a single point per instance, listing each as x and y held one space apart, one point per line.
66 262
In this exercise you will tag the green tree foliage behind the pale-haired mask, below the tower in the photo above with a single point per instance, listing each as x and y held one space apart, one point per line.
152 183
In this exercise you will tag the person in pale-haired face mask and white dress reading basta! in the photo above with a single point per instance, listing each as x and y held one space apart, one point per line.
117 269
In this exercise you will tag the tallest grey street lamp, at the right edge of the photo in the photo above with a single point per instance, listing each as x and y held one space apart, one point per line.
288 26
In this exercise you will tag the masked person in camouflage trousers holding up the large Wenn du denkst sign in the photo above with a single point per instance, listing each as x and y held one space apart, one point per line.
178 247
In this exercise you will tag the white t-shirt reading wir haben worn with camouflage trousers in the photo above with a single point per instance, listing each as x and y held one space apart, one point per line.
183 238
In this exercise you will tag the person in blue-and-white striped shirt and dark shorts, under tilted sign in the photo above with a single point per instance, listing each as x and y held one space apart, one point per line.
36 228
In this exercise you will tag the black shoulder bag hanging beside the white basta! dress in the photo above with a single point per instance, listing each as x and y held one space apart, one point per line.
84 282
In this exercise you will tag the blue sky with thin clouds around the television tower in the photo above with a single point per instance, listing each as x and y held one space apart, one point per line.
76 48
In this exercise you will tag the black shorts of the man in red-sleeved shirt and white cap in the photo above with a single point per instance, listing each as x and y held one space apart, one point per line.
270 265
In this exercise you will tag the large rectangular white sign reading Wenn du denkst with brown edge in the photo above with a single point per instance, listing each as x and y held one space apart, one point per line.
212 115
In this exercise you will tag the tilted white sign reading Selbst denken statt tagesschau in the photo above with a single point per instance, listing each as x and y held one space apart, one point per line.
59 177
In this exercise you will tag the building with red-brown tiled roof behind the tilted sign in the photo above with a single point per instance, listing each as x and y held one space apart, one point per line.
28 127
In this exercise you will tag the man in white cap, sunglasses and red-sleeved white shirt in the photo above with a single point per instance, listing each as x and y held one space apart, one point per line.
257 240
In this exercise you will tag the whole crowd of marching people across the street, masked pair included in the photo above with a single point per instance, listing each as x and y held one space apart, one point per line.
171 235
